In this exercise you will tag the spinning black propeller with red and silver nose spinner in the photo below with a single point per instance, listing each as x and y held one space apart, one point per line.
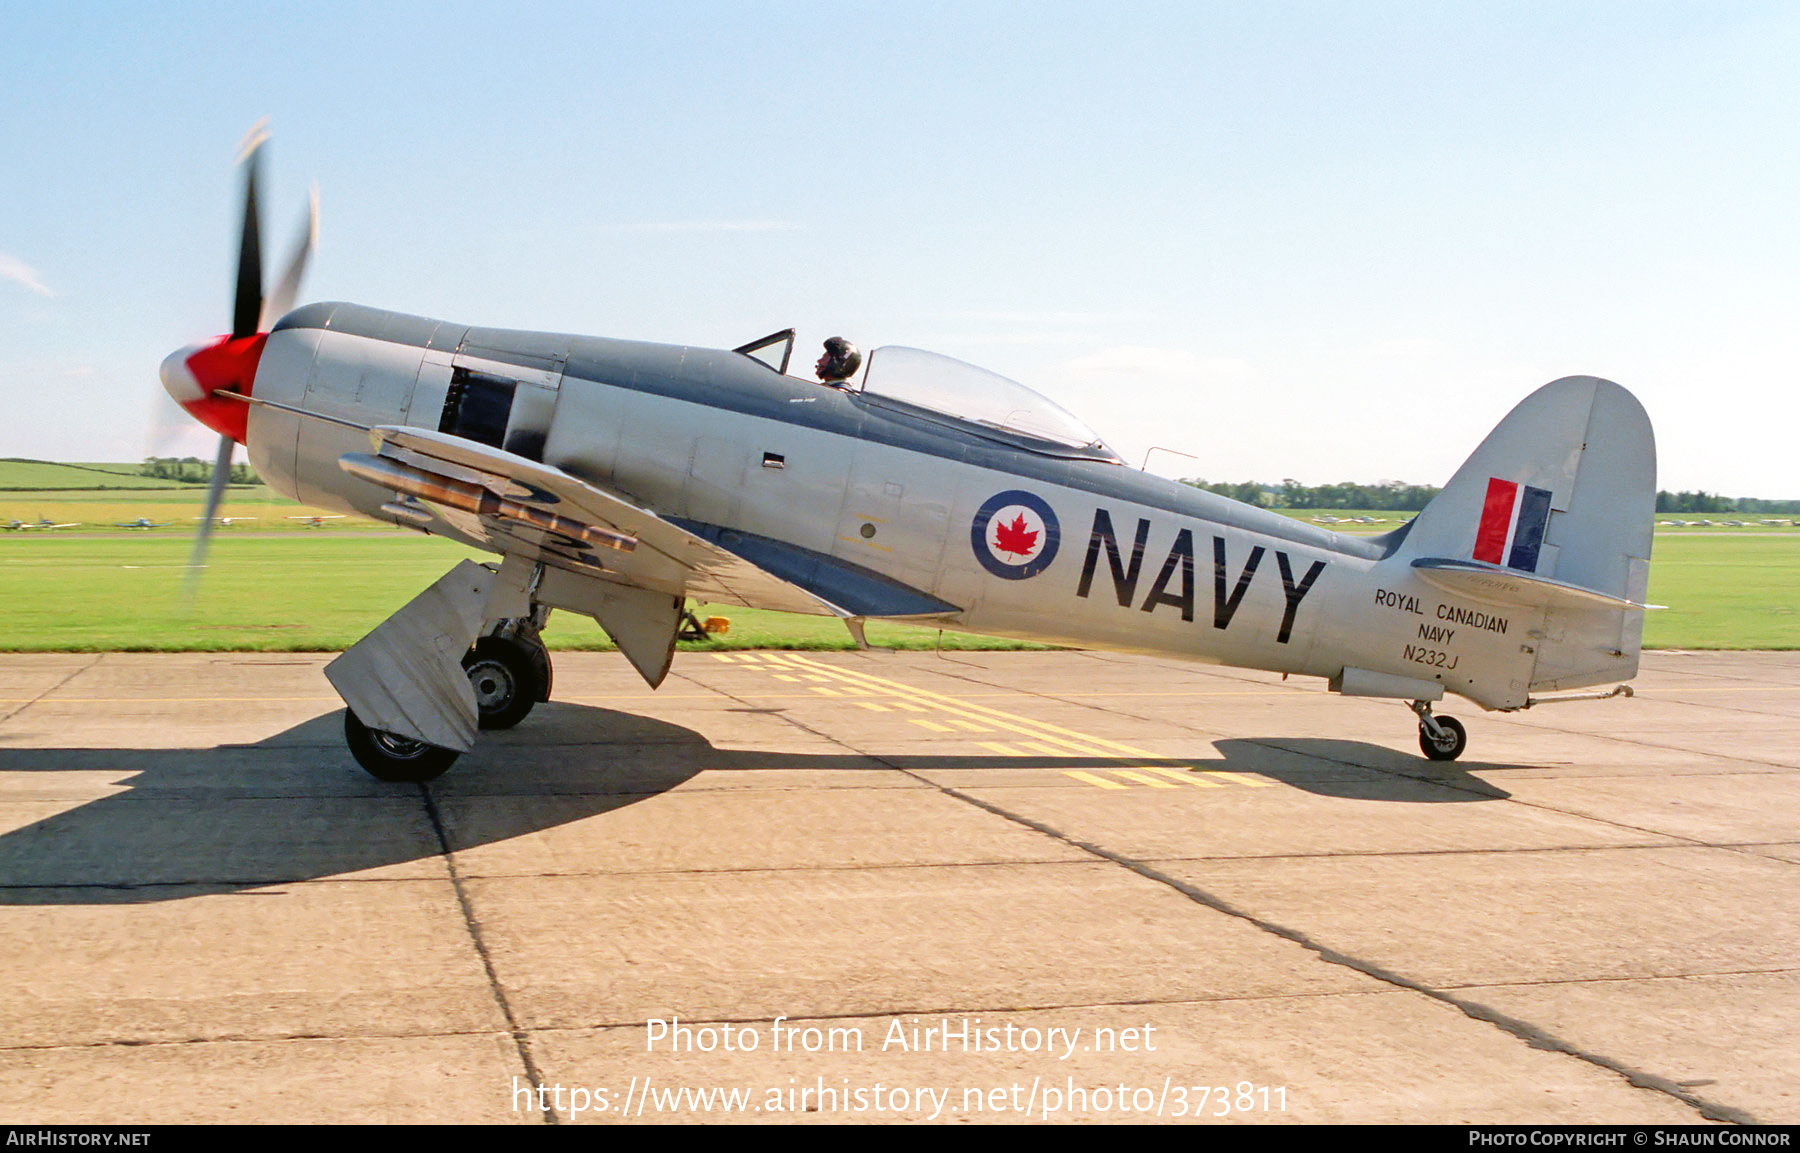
206 377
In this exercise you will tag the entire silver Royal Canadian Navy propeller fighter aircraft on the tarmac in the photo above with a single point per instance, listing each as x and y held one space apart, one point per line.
622 479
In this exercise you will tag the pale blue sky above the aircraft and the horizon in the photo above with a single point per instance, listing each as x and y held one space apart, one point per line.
1329 242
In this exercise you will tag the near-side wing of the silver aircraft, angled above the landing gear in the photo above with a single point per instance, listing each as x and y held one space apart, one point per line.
517 506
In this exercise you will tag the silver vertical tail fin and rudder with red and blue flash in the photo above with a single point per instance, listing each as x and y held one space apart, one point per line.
1554 514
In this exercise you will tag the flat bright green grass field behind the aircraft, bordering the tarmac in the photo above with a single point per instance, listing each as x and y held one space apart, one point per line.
321 591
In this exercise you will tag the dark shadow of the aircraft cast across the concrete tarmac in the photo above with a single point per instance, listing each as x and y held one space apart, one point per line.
292 809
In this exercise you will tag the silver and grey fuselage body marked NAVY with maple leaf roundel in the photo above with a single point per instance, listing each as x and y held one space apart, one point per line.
1020 539
